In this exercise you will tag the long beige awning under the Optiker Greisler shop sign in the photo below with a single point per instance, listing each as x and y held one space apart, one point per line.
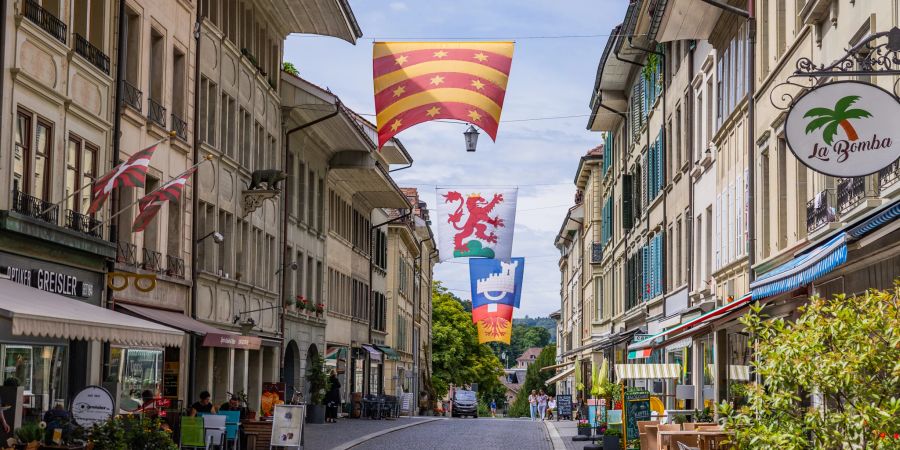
34 312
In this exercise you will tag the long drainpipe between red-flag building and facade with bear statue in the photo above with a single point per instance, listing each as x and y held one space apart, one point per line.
195 200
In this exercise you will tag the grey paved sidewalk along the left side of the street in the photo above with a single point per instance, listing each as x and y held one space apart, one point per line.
347 431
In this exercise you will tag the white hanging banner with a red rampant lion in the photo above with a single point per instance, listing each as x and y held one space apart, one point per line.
476 222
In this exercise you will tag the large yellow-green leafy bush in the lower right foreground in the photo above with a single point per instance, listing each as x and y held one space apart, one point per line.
830 380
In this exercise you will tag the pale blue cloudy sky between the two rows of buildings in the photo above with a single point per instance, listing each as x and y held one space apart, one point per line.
549 78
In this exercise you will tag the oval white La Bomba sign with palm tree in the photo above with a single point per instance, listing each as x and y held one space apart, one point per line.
845 129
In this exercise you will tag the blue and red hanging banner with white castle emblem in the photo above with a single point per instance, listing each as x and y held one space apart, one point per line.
496 281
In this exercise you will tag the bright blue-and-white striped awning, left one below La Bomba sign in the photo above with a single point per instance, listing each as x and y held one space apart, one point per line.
803 269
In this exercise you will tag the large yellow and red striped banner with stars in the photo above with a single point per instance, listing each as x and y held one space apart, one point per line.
417 82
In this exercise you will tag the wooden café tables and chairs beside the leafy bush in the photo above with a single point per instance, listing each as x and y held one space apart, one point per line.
688 436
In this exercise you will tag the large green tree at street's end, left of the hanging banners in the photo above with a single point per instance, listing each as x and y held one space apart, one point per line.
458 358
